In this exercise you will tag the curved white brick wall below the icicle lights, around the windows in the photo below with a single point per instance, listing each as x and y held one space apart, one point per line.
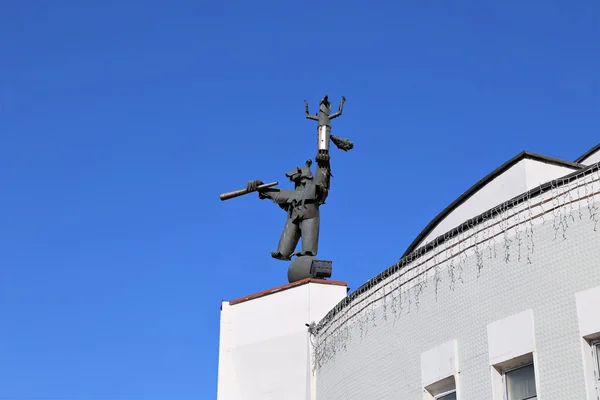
385 363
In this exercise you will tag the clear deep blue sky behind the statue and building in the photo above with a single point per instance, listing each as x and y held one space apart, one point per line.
122 121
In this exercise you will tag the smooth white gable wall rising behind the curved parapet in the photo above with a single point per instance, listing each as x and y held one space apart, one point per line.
521 177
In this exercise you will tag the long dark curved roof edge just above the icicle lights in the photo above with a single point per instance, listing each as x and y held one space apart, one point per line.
406 259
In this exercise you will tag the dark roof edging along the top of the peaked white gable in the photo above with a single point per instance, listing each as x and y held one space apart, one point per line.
481 183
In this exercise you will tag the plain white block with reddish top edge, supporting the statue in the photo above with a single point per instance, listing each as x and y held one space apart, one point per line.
264 351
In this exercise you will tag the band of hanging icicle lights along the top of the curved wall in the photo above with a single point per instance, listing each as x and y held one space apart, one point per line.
511 225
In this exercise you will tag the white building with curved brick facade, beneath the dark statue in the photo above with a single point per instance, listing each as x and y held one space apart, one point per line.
498 298
